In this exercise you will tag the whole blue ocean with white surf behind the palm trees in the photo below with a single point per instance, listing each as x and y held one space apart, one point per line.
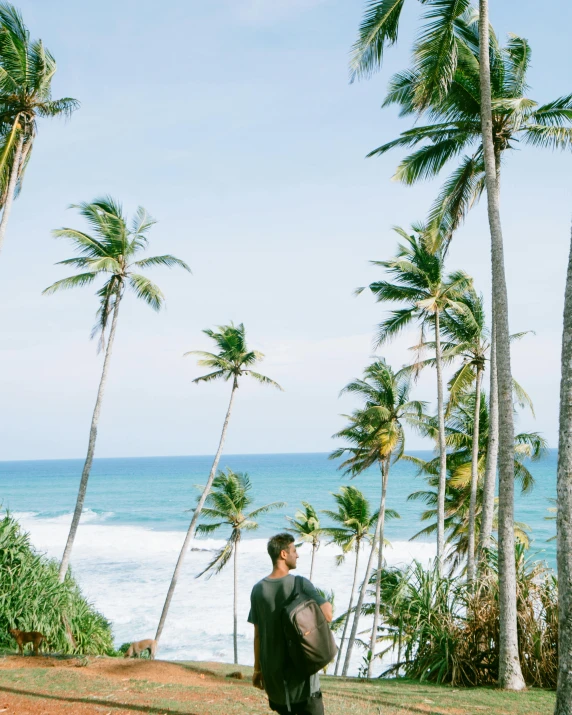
137 511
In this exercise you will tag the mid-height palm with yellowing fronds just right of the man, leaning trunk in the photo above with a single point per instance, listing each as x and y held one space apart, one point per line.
377 437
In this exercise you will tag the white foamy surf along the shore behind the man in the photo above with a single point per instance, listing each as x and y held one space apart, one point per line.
125 571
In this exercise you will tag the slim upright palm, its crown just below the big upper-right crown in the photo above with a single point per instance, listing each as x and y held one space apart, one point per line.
420 284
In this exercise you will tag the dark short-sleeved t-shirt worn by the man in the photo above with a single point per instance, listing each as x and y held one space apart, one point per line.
266 601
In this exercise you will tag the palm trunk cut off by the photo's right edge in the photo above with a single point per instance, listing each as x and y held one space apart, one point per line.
564 517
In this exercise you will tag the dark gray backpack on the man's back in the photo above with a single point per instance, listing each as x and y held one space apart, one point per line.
309 640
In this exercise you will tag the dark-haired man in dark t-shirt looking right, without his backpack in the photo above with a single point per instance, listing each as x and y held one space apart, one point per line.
288 694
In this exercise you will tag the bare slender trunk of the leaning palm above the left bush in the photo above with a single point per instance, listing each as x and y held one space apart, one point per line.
90 447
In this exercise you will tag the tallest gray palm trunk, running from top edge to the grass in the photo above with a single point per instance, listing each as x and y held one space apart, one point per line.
510 673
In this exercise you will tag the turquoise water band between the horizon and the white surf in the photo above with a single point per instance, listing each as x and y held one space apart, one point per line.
155 493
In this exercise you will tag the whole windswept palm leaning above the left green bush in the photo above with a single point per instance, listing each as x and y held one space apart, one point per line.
109 250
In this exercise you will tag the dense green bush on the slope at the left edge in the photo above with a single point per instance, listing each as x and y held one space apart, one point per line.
31 599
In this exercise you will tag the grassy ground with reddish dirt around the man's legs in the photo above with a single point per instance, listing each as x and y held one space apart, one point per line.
202 689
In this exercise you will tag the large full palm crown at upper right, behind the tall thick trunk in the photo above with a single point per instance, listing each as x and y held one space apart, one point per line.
455 125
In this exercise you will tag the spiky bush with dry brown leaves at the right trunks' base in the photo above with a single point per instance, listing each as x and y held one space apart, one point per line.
445 631
